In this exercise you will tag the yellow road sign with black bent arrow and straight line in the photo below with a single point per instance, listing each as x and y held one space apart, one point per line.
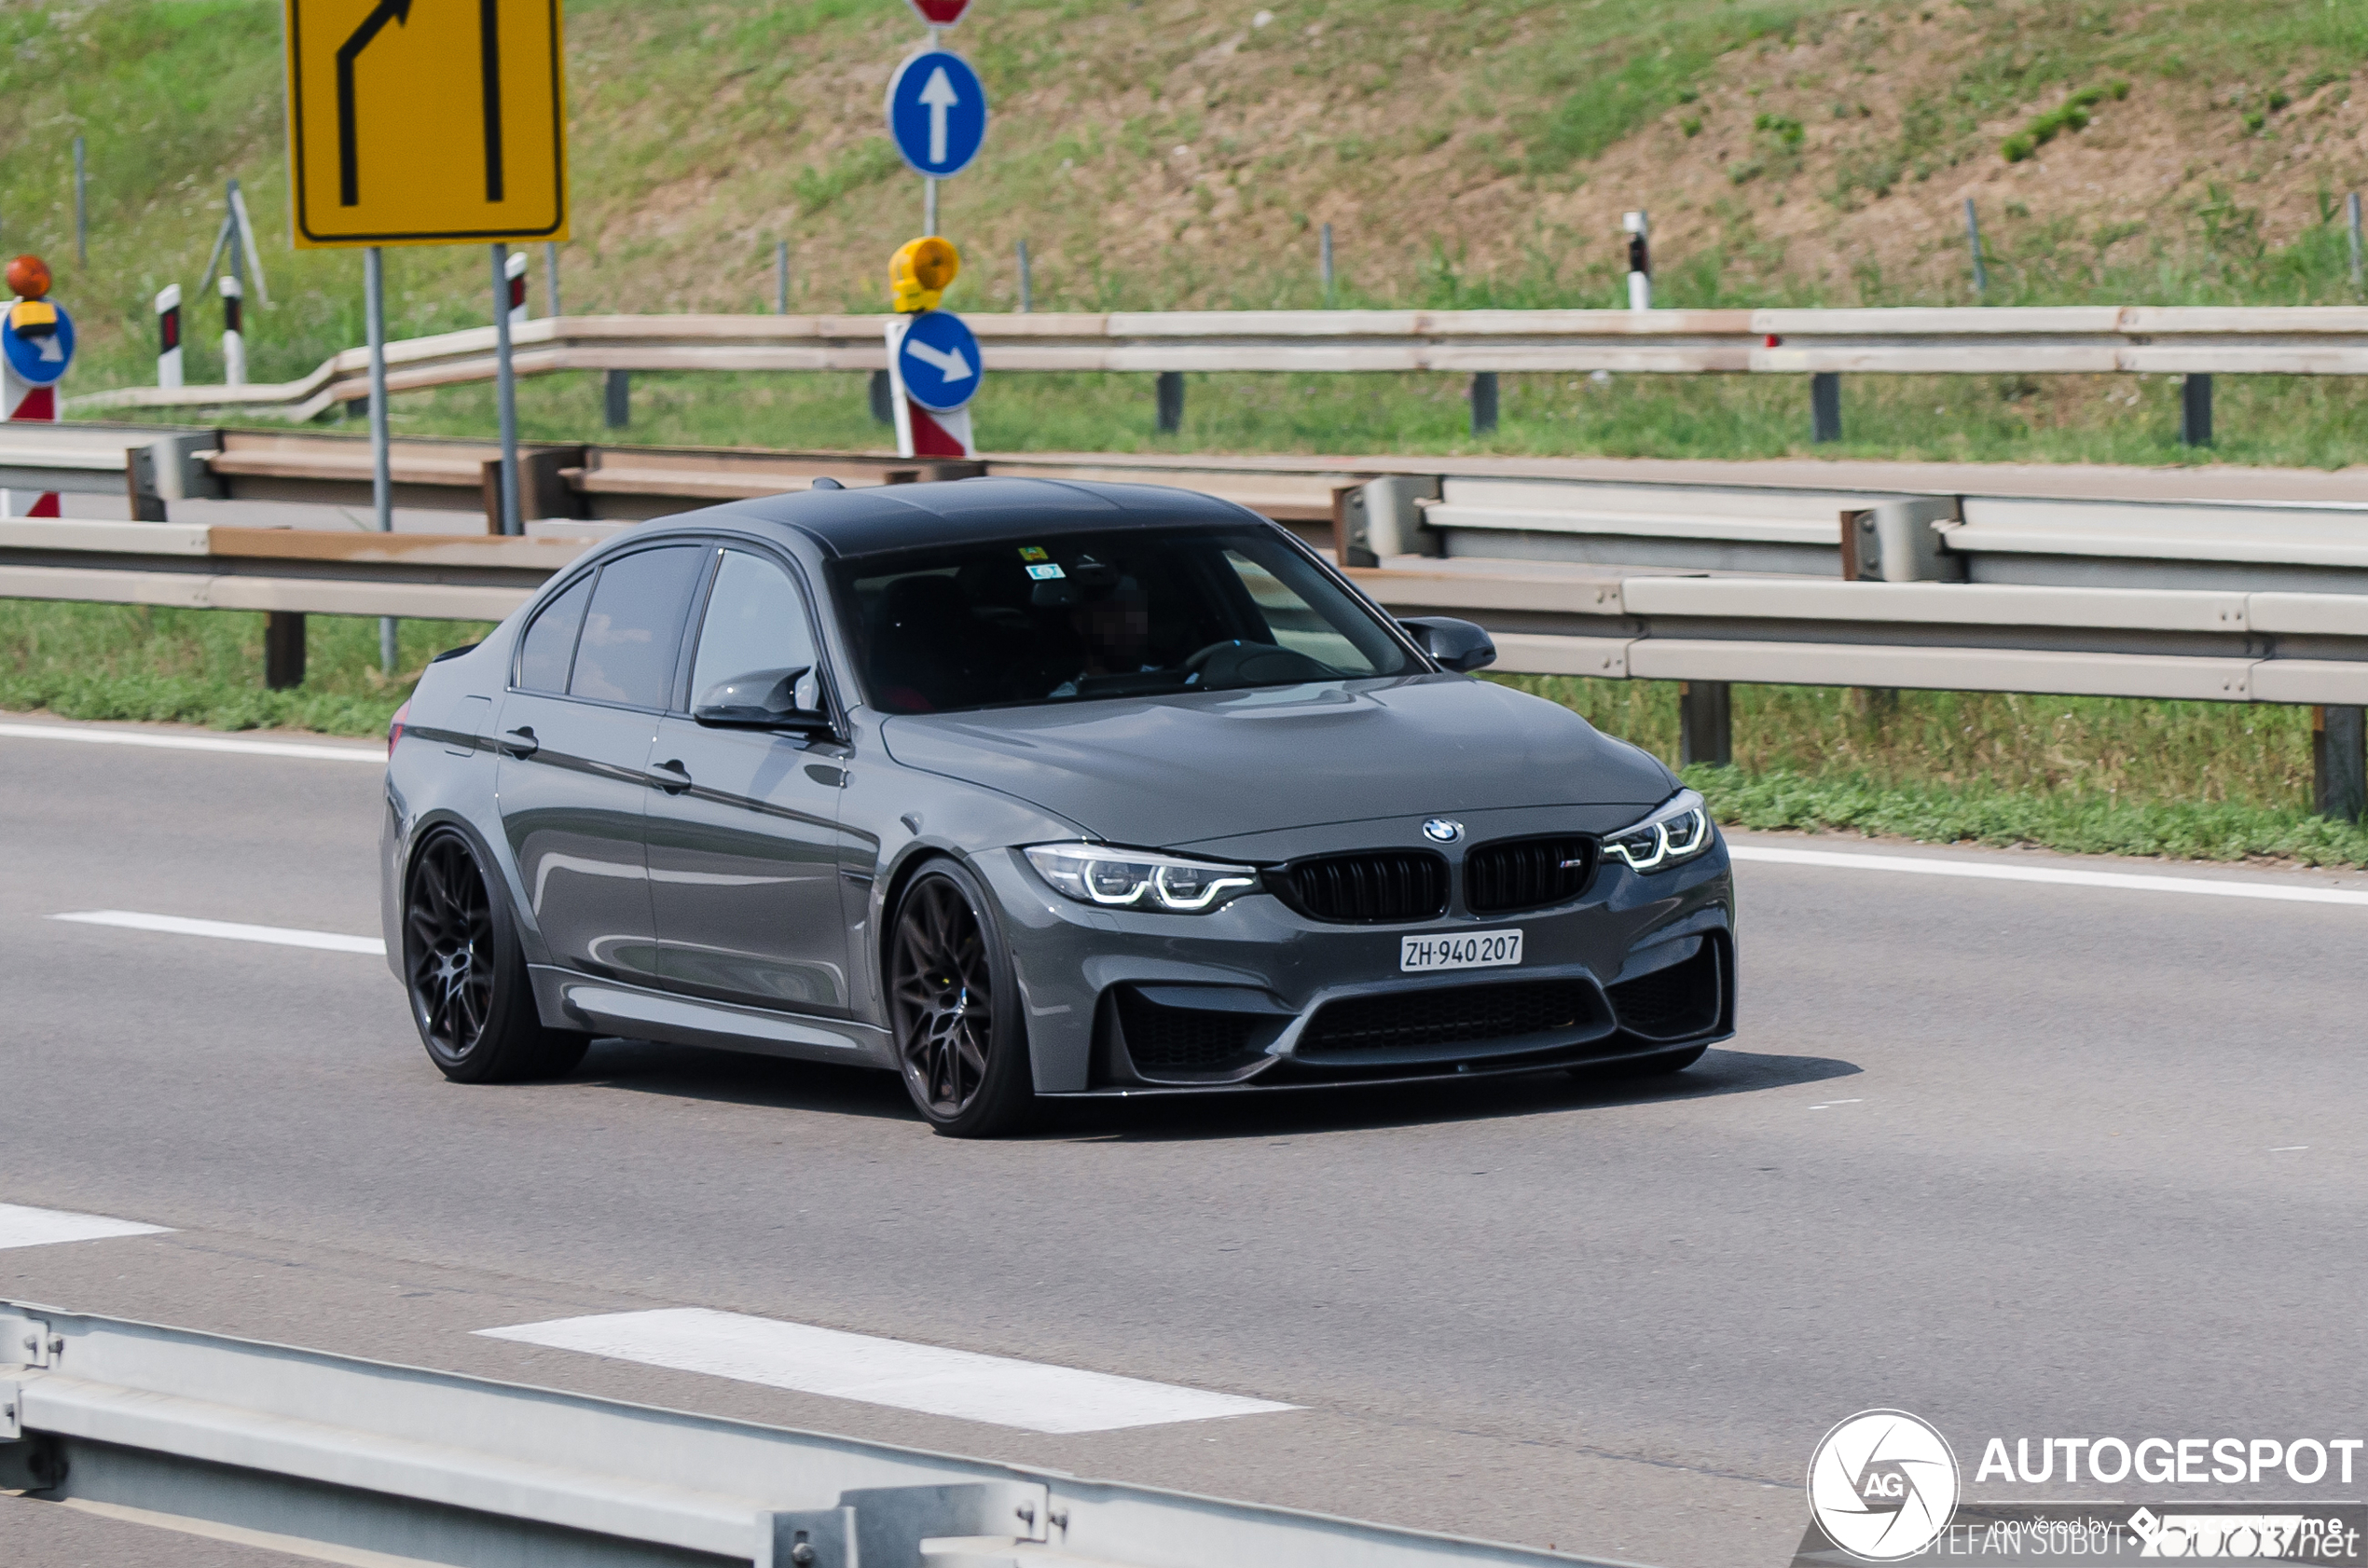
427 122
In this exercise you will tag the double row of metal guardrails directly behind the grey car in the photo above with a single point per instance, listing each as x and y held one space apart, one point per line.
1609 577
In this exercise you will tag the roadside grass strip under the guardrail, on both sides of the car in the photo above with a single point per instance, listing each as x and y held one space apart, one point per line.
2090 776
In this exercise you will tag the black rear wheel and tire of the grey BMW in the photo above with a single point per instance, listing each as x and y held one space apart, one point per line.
465 975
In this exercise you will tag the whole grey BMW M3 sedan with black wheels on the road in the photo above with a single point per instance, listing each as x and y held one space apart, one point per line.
1029 792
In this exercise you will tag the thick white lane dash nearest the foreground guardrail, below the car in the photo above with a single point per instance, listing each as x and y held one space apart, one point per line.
884 1370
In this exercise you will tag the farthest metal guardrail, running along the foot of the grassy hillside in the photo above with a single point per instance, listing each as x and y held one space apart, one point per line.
2052 340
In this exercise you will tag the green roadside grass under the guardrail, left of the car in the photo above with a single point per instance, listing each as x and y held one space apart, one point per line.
205 667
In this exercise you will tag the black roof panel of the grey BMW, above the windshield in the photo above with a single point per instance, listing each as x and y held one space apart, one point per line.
977 510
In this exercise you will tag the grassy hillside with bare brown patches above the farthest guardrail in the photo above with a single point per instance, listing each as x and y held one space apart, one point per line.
1164 155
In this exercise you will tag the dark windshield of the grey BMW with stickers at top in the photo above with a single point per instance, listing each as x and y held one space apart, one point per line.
1105 615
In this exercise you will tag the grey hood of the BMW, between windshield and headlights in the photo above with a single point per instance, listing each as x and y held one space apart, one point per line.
1176 771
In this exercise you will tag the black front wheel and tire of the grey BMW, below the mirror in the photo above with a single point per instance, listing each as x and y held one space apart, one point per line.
963 1055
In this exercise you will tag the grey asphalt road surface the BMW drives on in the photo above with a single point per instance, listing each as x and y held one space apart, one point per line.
2021 1159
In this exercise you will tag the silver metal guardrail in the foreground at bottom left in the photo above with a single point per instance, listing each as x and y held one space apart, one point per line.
359 1458
